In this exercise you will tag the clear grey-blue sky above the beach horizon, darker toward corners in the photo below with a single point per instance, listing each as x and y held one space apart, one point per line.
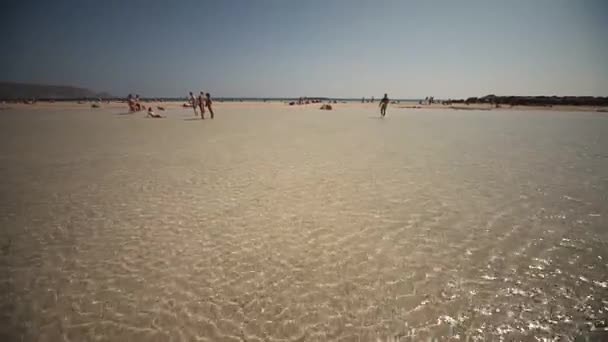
290 48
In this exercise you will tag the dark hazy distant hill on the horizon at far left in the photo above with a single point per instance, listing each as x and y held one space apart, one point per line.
15 91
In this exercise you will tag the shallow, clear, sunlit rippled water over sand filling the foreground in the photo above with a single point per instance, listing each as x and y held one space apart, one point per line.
278 223
